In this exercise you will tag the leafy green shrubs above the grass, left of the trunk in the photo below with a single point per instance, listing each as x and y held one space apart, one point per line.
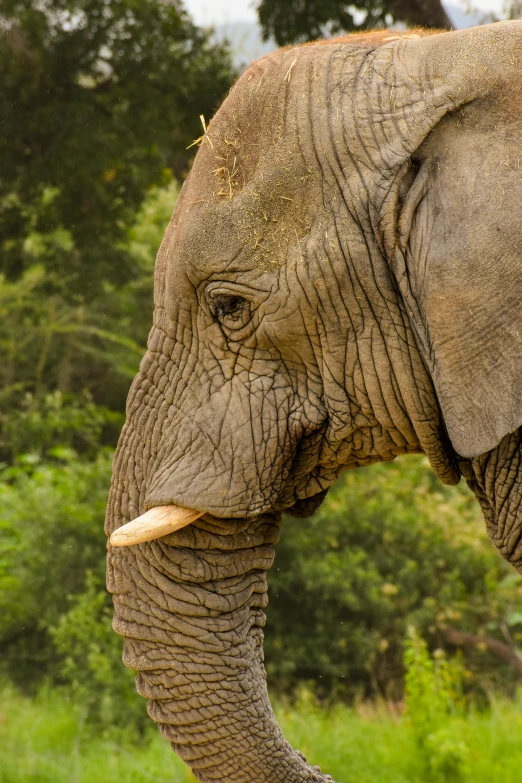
56 613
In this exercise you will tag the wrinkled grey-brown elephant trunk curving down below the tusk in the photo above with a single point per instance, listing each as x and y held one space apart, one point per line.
190 608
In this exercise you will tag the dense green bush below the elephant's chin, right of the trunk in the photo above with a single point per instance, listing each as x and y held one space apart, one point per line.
389 548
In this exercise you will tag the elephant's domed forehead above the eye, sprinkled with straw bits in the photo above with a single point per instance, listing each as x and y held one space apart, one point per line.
255 185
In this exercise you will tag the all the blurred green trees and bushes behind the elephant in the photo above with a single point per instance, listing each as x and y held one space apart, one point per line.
100 100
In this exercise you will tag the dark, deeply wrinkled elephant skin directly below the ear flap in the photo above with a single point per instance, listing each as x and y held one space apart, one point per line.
496 480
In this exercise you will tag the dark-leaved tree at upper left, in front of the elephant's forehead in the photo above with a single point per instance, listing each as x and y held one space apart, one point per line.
99 100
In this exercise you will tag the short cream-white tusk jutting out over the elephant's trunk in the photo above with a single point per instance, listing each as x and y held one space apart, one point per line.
154 523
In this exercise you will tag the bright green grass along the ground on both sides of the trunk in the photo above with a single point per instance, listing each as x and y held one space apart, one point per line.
45 741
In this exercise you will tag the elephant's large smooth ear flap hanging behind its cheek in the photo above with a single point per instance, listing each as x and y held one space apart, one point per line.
461 255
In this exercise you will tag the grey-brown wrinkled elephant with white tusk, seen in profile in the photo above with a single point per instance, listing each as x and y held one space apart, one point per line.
340 284
